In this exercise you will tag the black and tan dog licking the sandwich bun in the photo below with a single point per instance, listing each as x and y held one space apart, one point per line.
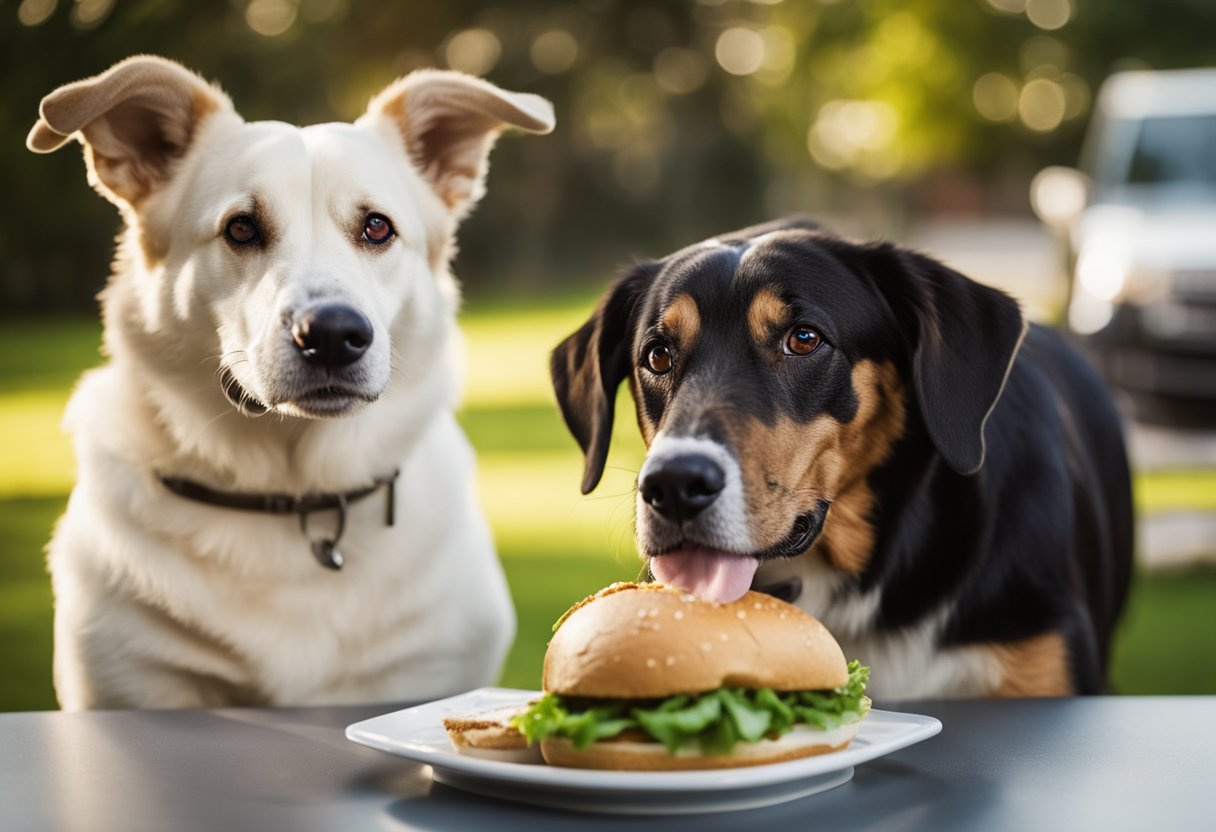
876 437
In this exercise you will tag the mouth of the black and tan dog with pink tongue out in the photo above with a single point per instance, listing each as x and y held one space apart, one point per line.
724 577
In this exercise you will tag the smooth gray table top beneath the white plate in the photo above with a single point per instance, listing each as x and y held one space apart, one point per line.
1112 763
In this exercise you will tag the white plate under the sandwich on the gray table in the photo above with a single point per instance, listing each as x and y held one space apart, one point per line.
418 734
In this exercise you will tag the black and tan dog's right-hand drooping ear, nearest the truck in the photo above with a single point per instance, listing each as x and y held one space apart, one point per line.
964 338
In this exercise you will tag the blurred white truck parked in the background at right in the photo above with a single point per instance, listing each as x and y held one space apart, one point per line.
1138 224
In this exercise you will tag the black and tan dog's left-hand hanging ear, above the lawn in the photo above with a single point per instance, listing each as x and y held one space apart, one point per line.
590 366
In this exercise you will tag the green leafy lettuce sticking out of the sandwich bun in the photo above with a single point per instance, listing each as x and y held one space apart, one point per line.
714 721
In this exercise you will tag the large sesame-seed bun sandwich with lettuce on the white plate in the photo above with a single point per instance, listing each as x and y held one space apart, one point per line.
644 677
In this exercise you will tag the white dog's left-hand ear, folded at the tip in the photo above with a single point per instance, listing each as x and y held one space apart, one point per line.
134 121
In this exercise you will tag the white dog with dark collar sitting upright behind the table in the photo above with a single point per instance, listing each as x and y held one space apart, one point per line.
279 400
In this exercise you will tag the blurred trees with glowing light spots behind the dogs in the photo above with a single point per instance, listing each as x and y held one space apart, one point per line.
675 120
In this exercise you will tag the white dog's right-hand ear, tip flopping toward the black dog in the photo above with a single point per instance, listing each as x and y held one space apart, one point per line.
451 121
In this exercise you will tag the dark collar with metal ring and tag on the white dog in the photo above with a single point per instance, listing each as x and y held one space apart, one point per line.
325 550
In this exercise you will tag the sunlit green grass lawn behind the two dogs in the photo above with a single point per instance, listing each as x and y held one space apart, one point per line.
556 544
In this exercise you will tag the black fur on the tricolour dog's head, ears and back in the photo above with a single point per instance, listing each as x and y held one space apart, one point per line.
1007 498
